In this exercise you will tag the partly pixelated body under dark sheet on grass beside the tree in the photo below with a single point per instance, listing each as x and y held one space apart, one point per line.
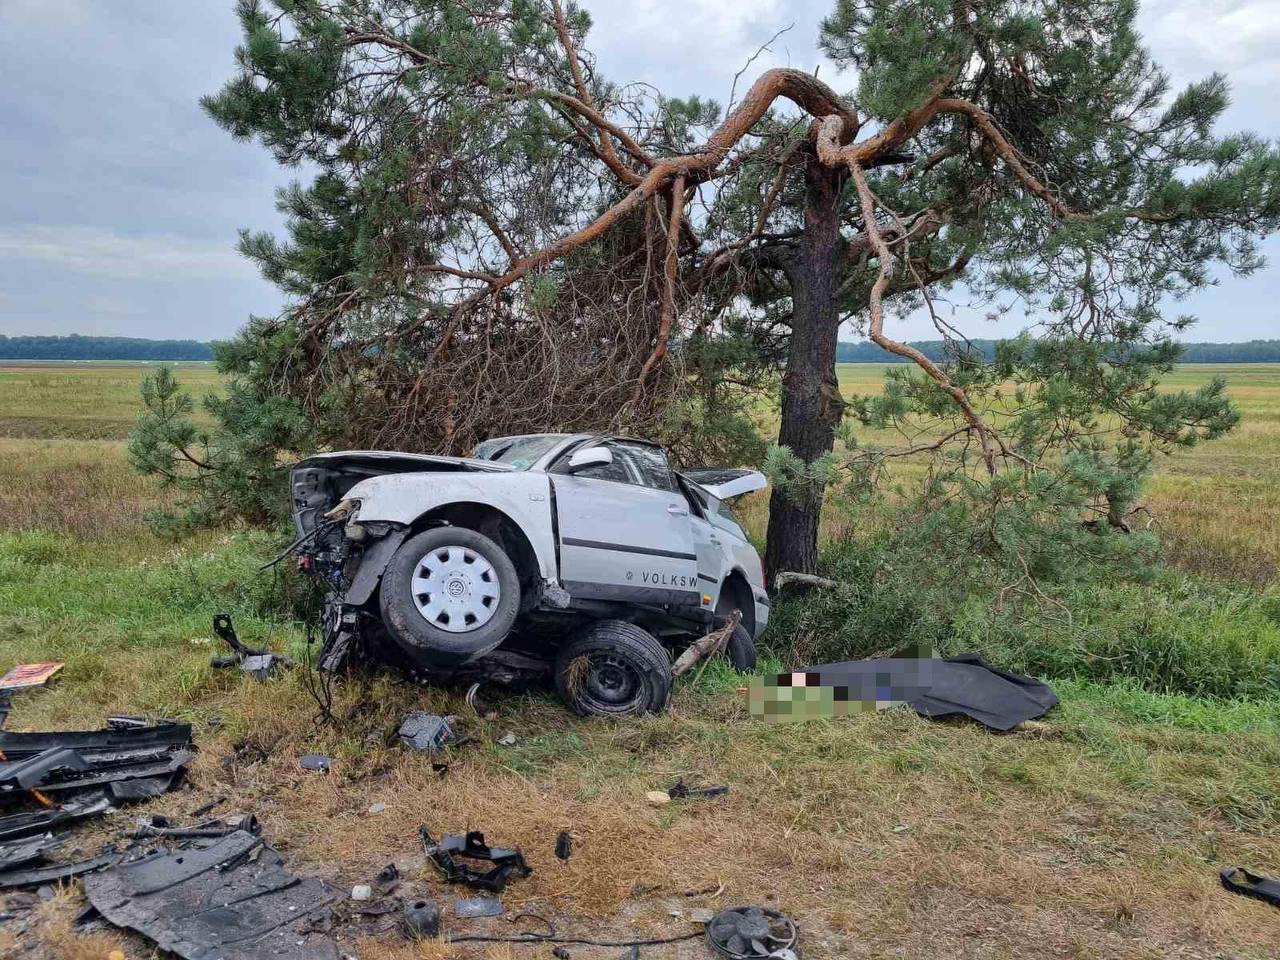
932 687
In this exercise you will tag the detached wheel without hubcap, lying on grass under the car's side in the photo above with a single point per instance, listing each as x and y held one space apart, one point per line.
614 669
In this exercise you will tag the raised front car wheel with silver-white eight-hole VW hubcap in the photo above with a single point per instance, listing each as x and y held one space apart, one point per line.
450 596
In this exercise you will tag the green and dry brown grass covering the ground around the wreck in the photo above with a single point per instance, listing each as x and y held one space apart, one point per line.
1096 834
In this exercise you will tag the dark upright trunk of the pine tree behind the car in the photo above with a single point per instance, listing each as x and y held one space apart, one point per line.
811 397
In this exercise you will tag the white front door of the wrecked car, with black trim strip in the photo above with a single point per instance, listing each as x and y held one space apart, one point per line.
625 529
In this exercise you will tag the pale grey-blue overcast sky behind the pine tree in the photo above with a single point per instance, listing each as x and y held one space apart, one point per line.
120 200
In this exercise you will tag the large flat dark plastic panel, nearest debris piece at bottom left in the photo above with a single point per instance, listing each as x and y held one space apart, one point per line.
232 900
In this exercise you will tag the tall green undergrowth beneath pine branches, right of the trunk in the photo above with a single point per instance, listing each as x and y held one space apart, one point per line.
1167 633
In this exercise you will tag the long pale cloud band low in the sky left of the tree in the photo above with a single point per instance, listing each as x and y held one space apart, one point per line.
93 250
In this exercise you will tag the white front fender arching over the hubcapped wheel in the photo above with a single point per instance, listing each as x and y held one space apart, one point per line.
524 497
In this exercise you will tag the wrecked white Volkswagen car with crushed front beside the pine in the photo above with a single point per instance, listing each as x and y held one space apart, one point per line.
580 552
